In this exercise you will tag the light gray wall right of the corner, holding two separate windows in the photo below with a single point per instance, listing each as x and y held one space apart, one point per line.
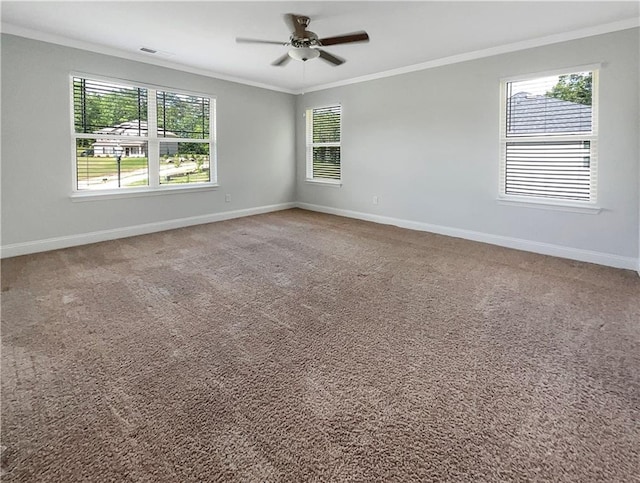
426 143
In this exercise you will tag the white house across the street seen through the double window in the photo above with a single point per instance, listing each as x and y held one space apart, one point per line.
135 148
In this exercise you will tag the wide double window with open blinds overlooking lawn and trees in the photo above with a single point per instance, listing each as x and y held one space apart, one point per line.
128 136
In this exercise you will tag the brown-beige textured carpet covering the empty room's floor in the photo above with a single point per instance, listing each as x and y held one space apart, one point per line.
297 346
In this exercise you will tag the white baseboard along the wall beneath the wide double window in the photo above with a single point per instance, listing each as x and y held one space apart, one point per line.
16 249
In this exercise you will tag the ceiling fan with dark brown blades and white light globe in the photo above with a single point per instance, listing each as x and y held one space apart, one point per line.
305 45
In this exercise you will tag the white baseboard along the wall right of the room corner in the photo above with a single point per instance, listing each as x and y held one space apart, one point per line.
517 243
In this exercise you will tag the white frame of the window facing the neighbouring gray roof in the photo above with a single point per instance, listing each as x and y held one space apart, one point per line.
542 201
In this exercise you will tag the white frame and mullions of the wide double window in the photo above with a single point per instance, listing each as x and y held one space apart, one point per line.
153 140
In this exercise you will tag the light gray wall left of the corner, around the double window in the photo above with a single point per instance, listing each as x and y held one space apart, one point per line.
255 131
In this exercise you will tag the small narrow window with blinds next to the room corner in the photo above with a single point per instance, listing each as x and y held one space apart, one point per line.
323 144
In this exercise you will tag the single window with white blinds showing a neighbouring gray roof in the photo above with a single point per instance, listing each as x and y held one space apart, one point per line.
549 137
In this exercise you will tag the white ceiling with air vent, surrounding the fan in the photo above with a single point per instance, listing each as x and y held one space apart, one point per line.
200 36
